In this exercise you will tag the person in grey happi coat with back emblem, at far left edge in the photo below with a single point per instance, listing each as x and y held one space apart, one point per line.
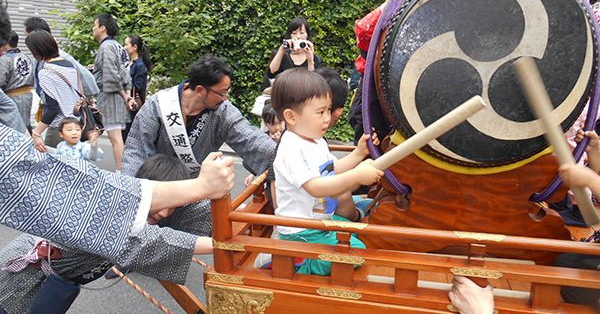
16 77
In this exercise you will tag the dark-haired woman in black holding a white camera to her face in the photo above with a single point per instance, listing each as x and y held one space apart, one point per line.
296 51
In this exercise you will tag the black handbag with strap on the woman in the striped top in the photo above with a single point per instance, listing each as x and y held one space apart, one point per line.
89 115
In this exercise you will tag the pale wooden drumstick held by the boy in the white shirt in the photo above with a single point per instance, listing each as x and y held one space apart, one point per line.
431 132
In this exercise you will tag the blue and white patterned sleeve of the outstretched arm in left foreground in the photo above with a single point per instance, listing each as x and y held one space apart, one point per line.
64 199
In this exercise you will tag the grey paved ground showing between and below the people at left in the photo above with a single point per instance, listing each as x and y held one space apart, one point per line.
121 298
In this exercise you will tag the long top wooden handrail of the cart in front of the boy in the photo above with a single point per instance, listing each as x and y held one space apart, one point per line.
454 237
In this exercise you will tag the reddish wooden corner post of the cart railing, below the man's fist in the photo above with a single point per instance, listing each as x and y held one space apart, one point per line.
222 231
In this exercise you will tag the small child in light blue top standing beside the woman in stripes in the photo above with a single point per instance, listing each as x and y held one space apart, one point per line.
70 131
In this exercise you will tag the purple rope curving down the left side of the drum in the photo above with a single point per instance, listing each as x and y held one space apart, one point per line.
369 91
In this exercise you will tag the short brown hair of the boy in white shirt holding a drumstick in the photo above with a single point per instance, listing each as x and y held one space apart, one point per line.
295 86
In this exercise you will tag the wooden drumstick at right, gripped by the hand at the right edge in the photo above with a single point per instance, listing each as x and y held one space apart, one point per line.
532 84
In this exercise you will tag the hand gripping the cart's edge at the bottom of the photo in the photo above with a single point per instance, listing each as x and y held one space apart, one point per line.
468 298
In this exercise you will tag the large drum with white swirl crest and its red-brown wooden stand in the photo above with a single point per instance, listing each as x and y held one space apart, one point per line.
478 177
